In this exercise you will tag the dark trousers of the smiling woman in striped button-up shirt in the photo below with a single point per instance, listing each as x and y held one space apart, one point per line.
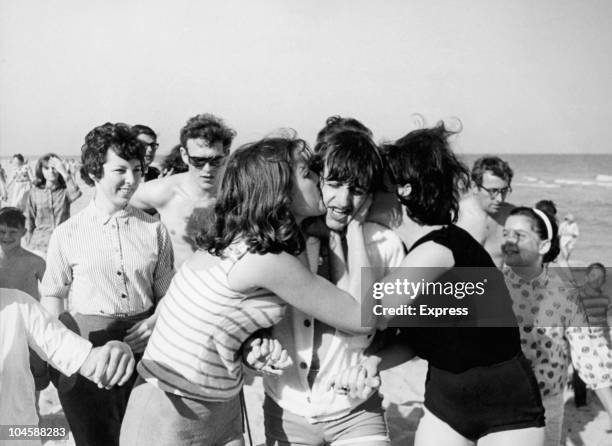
94 414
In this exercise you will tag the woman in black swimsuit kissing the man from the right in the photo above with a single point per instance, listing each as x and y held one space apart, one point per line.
479 385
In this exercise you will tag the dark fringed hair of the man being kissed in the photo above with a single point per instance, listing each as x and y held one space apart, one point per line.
352 158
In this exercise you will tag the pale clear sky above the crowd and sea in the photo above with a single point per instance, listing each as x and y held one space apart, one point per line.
523 76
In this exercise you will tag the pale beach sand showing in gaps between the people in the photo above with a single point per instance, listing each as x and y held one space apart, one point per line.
402 388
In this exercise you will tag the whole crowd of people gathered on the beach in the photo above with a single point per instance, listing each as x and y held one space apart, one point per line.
174 281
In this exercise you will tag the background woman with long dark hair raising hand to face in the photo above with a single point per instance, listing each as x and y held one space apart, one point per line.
49 201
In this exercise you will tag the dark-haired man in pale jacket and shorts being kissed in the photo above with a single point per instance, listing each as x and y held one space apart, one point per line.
299 407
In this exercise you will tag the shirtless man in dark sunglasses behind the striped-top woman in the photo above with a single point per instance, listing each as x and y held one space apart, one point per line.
185 200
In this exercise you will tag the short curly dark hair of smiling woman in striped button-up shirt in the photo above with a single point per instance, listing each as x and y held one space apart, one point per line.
117 137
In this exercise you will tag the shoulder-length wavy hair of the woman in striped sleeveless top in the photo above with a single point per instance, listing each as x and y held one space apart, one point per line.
254 199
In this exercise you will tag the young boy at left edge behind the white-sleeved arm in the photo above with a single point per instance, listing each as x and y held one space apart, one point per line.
21 270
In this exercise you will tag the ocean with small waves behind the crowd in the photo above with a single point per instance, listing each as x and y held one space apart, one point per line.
580 184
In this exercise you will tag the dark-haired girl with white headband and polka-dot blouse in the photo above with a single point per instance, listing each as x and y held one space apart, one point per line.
551 320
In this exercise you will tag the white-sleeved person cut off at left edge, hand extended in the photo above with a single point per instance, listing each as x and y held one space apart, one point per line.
25 323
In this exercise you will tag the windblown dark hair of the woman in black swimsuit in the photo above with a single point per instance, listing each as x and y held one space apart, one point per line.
424 160
